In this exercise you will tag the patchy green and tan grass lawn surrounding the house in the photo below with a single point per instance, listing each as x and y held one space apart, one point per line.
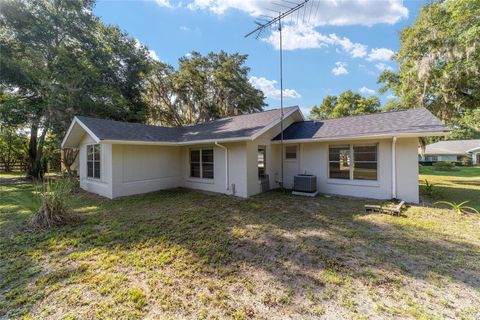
187 254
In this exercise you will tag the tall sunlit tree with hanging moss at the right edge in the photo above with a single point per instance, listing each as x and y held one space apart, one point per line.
439 65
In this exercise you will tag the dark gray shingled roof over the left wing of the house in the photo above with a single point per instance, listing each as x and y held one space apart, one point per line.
242 126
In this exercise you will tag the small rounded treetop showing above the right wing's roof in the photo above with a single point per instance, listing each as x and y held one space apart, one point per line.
347 103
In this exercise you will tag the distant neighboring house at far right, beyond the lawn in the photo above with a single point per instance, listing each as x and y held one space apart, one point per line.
452 150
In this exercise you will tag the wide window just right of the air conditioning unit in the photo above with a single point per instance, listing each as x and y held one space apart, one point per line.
353 162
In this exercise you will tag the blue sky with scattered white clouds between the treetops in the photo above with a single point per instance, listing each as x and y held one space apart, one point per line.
330 47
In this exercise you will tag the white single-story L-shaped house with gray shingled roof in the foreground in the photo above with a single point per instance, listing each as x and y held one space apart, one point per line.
372 156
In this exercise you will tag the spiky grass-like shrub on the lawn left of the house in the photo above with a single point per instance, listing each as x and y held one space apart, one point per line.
54 197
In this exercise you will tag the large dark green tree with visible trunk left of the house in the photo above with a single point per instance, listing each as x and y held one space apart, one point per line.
59 60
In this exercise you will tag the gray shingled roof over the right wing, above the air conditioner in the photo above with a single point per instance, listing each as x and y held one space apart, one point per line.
418 120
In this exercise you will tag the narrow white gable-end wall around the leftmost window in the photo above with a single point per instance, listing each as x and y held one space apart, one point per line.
102 186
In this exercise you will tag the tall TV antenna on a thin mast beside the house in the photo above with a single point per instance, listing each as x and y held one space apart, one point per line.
287 8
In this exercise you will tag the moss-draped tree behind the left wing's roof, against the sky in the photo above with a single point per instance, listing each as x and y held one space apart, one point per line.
203 88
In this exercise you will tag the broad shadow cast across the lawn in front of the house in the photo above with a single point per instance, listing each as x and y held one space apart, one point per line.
293 239
